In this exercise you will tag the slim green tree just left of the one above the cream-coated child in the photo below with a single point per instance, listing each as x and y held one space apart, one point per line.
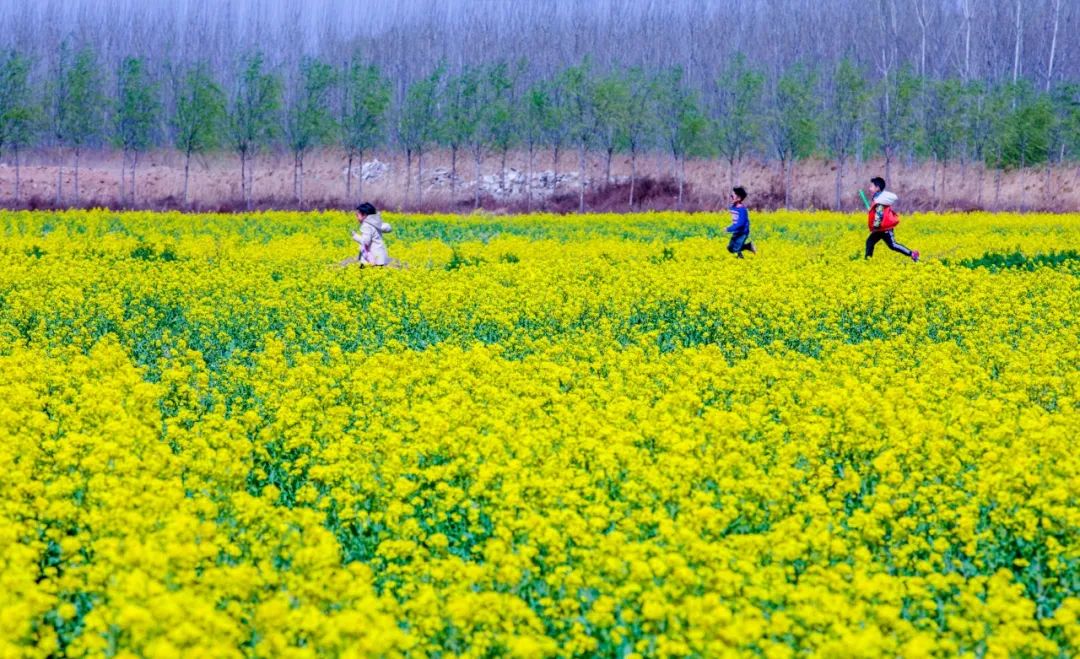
309 120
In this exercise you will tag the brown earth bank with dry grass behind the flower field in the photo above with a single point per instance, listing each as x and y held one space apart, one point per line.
553 186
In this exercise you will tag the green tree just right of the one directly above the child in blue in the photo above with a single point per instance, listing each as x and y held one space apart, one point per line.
793 123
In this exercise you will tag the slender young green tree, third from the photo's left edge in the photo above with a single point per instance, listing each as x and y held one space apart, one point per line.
138 114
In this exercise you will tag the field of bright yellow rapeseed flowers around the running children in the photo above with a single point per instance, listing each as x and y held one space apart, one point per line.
543 437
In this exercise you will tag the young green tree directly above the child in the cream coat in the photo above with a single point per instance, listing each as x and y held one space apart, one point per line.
367 97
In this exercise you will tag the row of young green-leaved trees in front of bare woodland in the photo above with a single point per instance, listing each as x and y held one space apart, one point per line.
840 113
